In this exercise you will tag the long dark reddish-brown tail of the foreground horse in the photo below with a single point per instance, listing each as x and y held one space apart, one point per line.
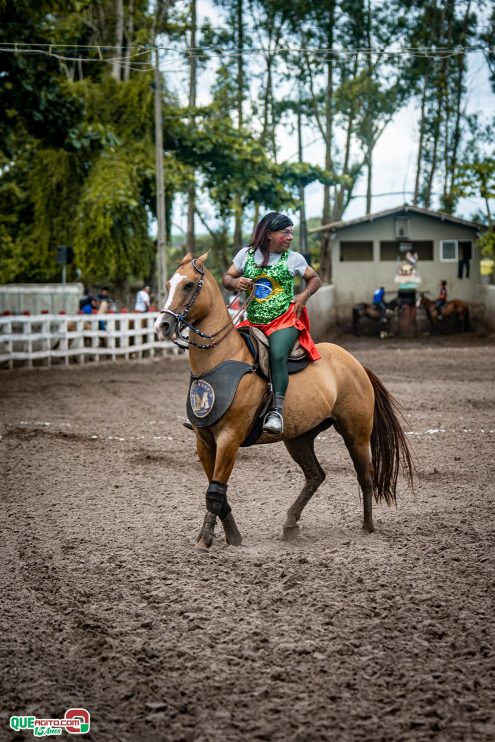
389 447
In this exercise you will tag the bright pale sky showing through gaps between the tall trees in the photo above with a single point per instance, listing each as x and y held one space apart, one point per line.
394 156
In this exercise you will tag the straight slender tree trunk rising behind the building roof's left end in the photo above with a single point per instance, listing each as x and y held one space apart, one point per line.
325 256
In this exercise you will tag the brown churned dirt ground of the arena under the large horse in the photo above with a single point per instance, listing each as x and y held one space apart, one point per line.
338 636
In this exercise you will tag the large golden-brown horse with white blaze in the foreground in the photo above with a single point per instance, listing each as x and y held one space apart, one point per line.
335 390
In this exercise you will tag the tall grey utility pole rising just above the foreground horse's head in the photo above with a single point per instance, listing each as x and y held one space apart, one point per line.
160 188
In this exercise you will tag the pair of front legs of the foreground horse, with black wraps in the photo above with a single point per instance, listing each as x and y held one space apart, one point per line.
218 459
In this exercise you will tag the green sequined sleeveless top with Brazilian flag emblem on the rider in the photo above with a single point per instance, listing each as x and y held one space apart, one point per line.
274 289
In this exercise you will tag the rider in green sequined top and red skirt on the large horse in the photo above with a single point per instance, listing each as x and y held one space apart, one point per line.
268 266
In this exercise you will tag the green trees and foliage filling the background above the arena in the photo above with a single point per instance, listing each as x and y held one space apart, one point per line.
77 155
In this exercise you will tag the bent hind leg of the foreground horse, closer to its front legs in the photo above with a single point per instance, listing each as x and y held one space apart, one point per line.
302 451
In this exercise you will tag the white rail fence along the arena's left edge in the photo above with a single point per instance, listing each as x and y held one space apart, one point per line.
56 338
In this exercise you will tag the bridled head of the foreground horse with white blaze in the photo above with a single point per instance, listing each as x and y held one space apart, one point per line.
184 296
